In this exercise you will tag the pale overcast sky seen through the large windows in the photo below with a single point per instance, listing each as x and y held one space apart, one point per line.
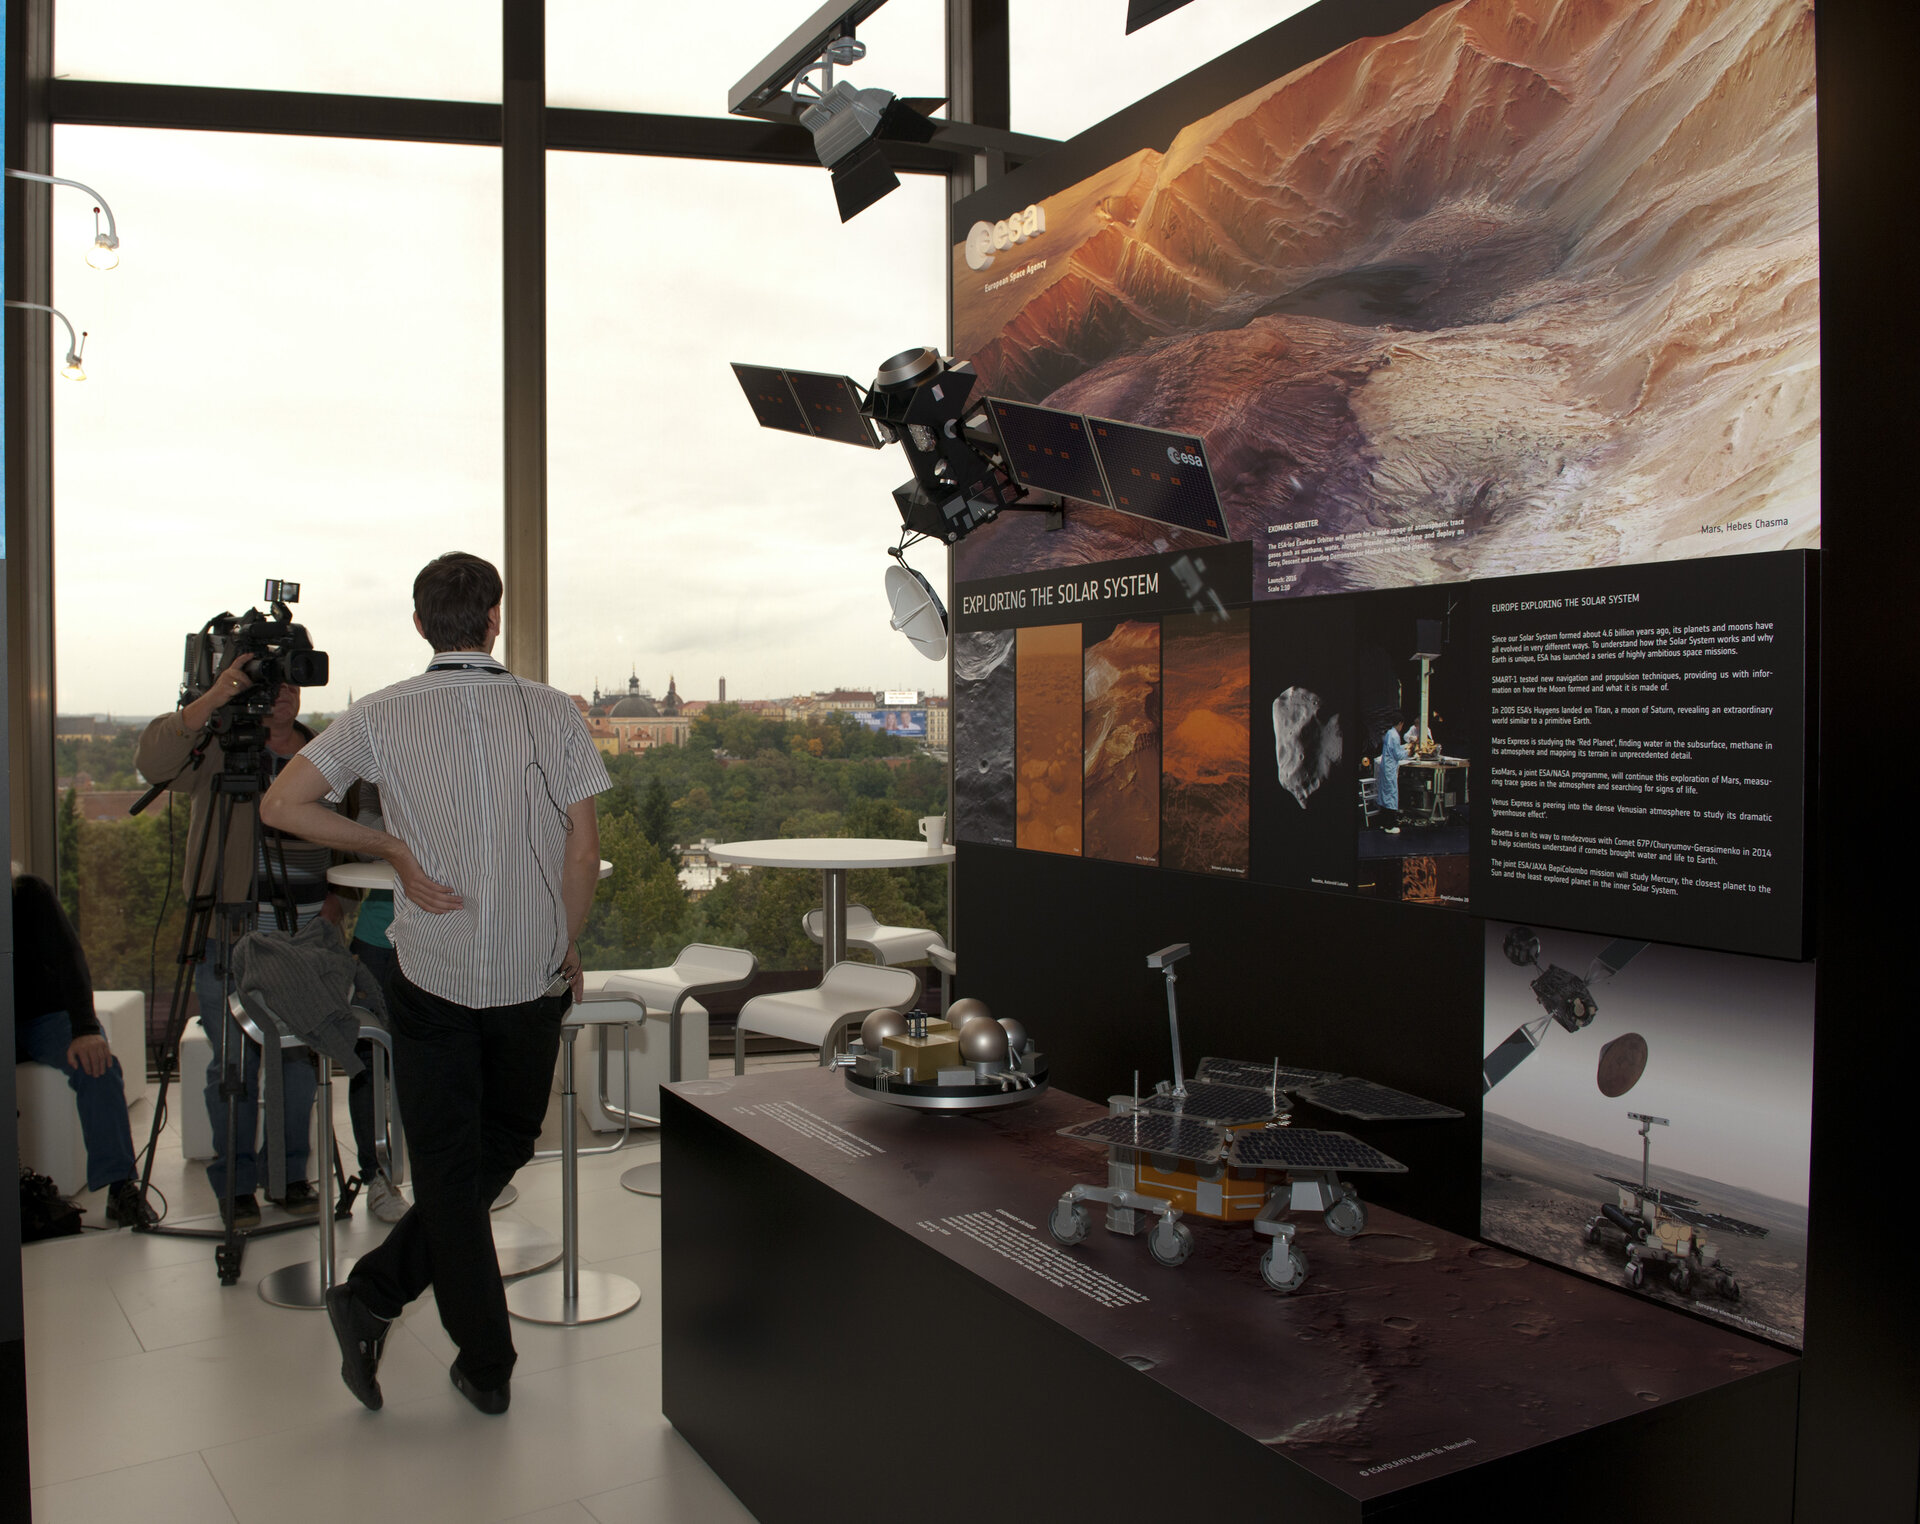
297 368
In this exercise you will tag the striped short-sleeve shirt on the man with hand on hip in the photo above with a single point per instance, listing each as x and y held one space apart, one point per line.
475 771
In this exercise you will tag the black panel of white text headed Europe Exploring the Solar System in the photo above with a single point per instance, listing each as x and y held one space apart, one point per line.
1646 751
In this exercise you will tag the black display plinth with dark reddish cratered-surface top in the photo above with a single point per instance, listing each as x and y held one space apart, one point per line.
848 1285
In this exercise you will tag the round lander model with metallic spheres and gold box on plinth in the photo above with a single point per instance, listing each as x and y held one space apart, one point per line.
967 1062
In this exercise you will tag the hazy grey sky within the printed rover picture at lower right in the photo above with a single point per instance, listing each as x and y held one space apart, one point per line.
1729 1060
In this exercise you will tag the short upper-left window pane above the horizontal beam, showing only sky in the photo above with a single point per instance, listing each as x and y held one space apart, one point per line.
429 49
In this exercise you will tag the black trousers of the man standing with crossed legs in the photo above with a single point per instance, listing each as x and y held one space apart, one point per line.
473 1089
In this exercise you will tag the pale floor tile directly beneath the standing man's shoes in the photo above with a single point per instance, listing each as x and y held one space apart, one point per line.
577 1431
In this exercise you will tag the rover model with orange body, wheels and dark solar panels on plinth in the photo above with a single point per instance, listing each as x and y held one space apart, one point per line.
1222 1147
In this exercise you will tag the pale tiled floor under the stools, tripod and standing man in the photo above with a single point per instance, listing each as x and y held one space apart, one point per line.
158 1394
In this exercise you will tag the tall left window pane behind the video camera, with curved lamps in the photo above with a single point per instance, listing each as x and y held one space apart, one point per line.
295 373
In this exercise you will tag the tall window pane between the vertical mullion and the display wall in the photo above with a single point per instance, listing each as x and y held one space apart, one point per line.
694 548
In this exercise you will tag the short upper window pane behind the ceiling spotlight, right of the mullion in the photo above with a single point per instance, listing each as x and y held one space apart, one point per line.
683 60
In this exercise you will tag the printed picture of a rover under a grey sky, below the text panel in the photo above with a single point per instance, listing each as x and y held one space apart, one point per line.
1648 1118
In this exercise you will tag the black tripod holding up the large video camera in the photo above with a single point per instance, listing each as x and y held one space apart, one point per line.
218 920
